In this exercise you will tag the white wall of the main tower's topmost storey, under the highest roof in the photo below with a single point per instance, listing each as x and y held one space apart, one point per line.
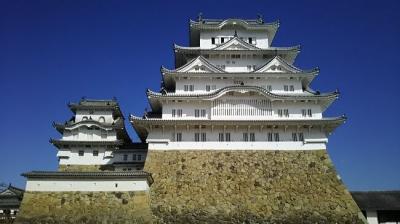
260 36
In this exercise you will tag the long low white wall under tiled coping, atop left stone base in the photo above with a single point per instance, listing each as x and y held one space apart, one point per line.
55 185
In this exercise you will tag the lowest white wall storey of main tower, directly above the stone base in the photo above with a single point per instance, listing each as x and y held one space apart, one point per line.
163 140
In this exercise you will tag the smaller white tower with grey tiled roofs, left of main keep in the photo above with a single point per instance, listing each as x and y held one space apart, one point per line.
95 138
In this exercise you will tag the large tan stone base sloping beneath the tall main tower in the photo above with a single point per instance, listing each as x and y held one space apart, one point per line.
248 187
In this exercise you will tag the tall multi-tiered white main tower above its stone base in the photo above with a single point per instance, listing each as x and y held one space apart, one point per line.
232 90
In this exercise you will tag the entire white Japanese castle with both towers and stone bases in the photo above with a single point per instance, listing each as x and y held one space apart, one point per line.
234 135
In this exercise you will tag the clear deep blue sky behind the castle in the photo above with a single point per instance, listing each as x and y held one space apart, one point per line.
53 52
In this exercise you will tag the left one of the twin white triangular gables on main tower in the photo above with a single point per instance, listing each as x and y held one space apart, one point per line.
199 65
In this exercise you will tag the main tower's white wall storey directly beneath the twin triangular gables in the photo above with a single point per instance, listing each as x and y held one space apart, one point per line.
200 83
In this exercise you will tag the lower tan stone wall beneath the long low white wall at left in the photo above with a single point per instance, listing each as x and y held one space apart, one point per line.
84 207
